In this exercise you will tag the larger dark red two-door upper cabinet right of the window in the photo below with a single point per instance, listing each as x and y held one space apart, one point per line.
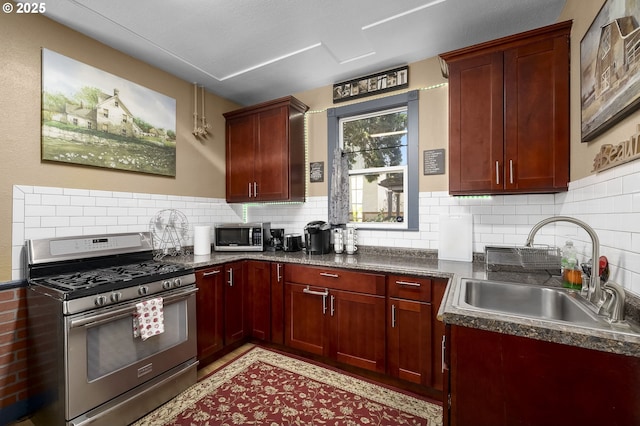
509 114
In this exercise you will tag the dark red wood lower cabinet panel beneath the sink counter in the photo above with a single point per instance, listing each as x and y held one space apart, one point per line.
499 379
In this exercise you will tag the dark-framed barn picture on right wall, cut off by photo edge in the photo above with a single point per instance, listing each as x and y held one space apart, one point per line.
610 67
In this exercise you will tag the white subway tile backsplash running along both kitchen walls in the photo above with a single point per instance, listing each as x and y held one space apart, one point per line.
608 201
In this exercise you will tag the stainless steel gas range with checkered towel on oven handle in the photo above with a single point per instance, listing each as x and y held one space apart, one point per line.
92 359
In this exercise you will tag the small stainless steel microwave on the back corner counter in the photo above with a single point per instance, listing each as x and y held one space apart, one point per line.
241 236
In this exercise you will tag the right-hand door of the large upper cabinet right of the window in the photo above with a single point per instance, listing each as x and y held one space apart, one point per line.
536 78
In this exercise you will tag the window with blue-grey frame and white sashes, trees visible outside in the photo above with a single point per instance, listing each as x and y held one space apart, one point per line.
380 141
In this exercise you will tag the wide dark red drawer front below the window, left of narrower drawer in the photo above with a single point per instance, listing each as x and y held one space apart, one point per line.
338 279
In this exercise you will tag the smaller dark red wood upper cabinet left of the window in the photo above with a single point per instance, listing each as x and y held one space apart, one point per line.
265 151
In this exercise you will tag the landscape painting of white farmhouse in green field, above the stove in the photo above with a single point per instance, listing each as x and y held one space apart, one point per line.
94 118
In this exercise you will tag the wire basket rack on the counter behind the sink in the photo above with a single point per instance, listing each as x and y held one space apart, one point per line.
522 258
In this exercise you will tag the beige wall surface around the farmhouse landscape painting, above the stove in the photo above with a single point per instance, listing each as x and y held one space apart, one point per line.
200 164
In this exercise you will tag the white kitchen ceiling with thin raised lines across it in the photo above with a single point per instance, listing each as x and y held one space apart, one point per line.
250 51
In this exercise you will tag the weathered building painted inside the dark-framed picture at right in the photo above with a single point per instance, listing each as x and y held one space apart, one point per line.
618 54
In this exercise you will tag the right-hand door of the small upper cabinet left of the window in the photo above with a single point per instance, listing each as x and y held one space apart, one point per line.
272 155
